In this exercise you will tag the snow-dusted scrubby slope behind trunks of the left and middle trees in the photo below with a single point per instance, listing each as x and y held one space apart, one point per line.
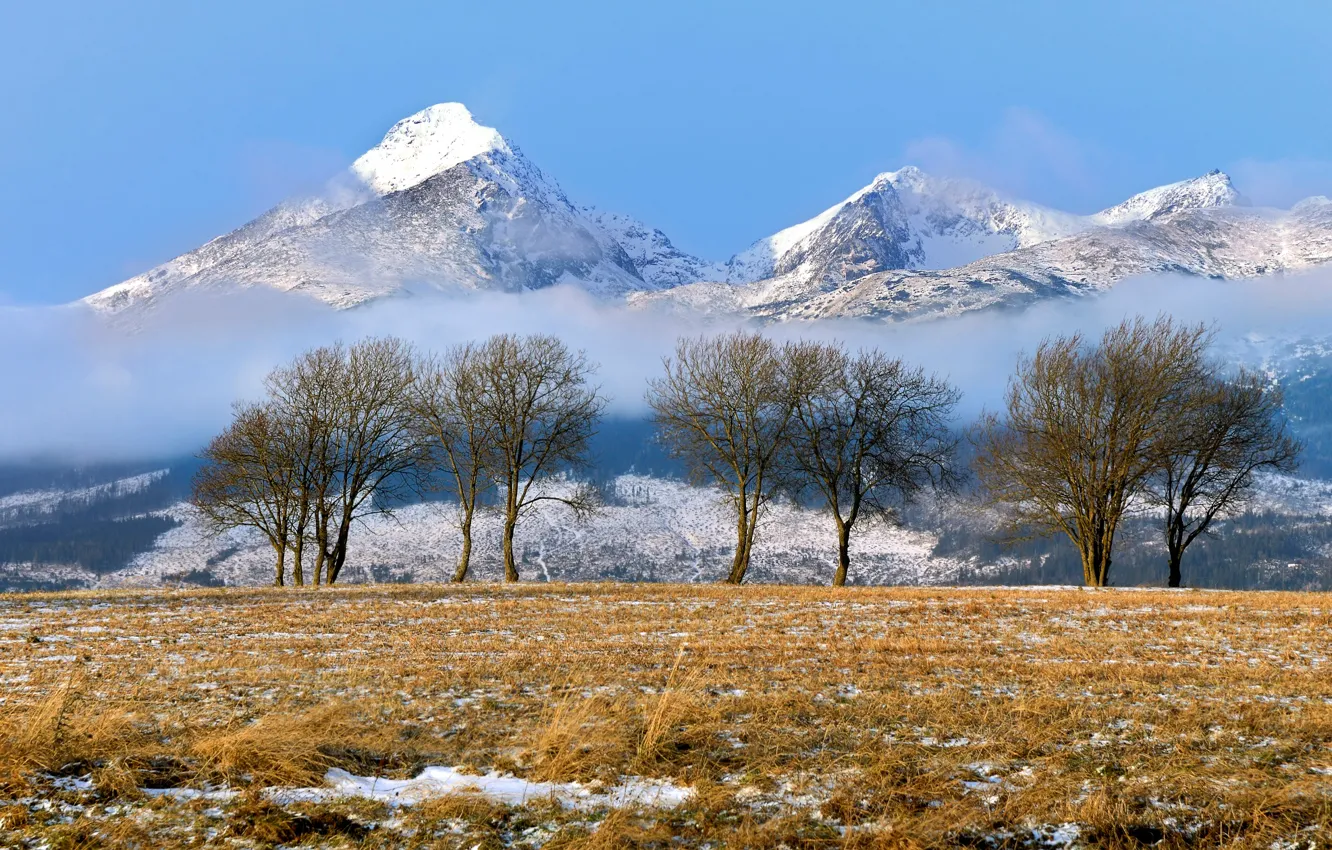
657 531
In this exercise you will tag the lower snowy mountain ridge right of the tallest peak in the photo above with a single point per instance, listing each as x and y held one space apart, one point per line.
1195 227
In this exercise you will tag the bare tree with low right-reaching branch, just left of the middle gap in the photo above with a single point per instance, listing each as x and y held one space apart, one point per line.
537 399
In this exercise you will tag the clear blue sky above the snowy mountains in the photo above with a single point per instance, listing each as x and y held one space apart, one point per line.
133 133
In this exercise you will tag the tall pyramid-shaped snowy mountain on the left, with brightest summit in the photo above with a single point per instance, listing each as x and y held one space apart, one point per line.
443 203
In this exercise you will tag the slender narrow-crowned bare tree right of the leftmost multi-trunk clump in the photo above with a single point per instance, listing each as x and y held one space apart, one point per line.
452 416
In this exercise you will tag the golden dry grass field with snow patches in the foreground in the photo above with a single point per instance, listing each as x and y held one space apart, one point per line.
768 717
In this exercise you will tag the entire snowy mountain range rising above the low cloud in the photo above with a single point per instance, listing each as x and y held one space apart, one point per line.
444 205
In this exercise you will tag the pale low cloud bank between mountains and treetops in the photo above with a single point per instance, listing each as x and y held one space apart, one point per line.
78 388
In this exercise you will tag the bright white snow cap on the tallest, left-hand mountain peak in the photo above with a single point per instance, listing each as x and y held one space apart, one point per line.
424 145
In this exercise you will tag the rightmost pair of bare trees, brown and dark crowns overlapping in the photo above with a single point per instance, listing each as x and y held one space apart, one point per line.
1141 420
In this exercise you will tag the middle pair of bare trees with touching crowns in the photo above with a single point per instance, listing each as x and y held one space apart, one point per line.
858 432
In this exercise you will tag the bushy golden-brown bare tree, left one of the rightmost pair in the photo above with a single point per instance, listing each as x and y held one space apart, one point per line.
1081 430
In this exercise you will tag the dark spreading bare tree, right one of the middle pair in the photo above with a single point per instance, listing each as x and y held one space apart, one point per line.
869 435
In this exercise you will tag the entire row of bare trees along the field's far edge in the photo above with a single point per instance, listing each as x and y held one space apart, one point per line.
1089 435
